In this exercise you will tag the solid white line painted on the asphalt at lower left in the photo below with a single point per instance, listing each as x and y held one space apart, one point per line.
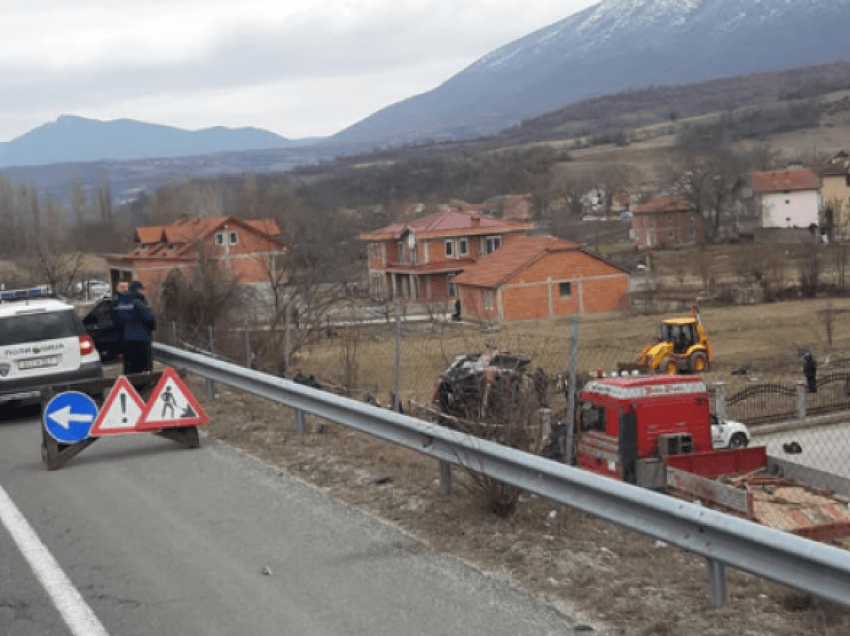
76 613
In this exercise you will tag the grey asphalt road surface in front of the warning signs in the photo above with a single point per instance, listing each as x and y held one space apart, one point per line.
158 539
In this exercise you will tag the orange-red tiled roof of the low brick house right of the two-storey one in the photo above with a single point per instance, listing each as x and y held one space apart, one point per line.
515 256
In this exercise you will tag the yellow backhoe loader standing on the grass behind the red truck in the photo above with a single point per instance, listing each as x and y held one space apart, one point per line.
682 347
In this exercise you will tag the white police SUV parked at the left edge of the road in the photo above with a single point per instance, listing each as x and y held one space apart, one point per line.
42 342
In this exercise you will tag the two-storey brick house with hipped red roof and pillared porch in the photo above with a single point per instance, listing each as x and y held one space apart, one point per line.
418 260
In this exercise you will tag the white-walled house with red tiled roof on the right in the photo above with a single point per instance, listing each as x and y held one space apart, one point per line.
789 198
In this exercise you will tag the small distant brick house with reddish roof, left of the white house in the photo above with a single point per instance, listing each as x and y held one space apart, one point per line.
667 220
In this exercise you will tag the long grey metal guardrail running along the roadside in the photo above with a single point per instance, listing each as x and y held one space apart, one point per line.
811 567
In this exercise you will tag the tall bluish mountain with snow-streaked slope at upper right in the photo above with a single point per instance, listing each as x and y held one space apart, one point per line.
613 46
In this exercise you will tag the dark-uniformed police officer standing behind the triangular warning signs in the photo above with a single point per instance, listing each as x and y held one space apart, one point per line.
131 313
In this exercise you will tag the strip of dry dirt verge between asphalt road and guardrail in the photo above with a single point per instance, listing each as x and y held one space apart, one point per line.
614 581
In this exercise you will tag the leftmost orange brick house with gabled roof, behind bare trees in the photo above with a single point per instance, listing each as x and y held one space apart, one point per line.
248 248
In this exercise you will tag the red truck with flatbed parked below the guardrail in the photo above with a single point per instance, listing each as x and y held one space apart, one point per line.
655 431
